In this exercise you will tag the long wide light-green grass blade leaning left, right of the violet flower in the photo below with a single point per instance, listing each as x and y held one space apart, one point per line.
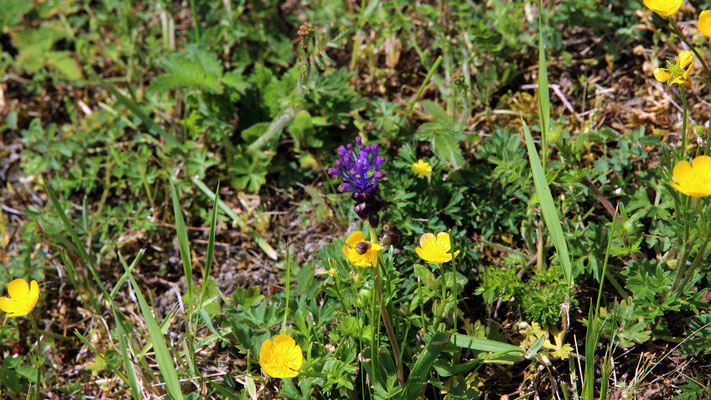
550 214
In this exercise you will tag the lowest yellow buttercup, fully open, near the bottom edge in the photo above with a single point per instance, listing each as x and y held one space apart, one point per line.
281 358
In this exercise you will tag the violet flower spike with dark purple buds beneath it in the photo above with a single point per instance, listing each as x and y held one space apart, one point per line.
360 169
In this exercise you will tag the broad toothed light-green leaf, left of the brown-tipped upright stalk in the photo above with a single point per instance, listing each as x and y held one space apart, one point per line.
191 67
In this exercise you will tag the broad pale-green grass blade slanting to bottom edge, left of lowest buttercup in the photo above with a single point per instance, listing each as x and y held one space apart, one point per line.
165 361
